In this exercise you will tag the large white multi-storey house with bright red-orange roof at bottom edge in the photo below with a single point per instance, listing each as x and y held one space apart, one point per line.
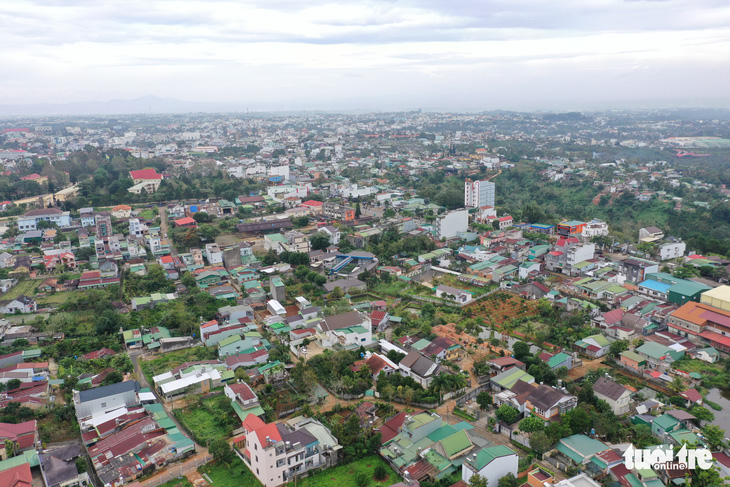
278 452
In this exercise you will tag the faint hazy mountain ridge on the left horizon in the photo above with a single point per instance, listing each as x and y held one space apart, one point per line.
145 104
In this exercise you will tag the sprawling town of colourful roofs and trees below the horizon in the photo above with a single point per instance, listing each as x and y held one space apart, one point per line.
358 300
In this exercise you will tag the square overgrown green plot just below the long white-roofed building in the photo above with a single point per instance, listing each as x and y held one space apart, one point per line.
209 419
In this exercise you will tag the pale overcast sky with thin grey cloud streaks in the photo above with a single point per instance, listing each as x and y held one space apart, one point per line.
311 54
